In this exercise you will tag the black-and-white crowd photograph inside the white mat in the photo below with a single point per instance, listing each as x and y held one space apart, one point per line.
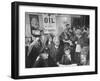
56 40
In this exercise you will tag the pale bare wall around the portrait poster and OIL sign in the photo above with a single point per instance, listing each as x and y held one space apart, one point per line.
61 21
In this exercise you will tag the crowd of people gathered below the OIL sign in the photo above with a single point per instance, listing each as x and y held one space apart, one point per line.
48 50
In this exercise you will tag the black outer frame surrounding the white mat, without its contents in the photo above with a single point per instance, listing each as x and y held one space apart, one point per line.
15 39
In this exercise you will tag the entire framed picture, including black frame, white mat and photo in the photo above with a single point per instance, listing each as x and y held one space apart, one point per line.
58 43
